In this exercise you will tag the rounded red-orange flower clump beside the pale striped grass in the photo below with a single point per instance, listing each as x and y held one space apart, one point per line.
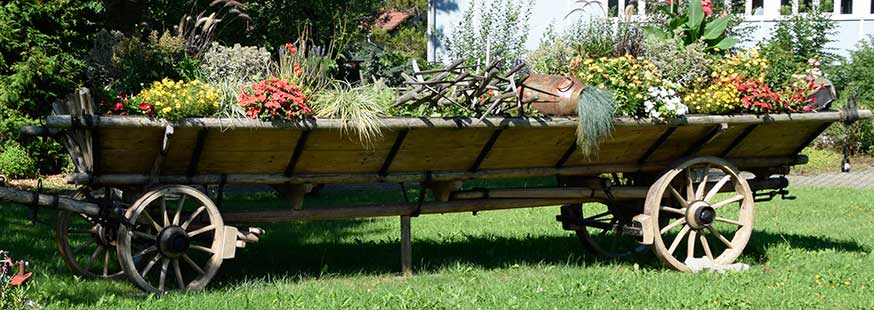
274 99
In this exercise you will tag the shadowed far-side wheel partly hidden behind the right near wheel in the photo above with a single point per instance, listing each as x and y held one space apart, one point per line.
602 229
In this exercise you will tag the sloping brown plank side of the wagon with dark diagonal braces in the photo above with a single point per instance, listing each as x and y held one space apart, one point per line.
525 145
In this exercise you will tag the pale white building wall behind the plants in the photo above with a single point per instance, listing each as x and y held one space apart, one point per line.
446 14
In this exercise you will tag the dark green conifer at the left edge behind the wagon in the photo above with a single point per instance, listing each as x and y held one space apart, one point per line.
43 47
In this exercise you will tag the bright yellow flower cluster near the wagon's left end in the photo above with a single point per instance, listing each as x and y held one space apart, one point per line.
174 100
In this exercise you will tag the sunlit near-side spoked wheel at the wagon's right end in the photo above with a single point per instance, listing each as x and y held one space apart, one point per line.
700 208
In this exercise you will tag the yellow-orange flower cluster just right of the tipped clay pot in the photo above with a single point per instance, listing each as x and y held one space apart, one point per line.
628 77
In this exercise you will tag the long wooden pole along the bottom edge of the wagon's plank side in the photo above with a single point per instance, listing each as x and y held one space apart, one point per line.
333 178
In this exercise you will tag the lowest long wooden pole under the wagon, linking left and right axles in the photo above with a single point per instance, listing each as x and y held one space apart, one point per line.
317 214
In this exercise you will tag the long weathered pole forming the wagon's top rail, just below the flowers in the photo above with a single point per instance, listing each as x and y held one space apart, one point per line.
65 121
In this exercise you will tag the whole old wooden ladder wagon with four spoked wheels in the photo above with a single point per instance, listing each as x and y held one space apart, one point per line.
145 216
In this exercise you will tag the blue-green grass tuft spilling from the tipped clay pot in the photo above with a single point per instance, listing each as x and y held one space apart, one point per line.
596 109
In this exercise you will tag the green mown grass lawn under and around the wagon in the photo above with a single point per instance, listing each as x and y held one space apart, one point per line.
813 251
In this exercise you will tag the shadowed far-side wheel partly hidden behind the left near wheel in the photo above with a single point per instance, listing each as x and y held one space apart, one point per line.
86 244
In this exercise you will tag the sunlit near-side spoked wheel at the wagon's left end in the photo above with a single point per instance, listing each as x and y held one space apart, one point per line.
174 242
